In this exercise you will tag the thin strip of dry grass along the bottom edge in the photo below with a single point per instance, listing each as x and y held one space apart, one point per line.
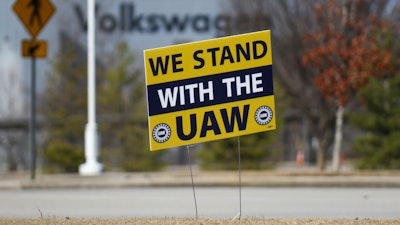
171 221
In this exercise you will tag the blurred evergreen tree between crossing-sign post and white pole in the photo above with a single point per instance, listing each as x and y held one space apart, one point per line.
62 106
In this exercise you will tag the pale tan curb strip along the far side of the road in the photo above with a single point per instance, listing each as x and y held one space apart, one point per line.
201 179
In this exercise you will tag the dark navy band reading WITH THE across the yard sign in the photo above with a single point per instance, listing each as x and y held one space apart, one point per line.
210 90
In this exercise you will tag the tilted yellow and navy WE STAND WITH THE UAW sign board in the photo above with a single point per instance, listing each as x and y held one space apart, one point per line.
210 90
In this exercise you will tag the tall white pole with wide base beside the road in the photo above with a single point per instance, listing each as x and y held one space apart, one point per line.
91 166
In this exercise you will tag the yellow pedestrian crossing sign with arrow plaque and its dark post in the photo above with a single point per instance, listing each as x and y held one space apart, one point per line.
34 14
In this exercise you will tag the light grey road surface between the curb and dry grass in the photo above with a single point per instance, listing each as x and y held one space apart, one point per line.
219 202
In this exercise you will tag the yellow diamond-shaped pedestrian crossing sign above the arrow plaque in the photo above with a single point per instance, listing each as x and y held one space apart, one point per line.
34 14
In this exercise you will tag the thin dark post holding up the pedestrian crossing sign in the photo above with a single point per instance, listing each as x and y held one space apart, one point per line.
32 126
